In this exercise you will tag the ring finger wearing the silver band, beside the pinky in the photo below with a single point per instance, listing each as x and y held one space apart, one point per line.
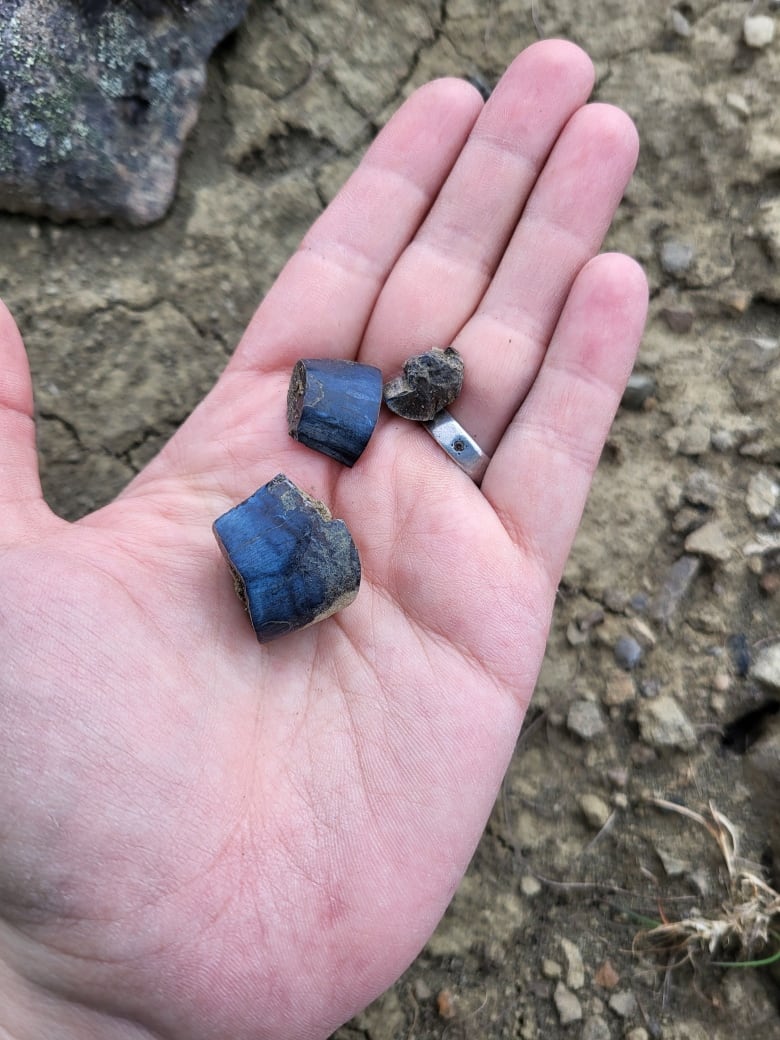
563 226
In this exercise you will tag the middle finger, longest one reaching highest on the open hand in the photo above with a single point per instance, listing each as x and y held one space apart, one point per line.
446 270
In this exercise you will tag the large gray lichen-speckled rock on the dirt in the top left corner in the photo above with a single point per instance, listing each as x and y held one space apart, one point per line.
96 100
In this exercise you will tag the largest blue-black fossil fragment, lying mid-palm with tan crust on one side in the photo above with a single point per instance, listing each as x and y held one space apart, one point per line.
293 565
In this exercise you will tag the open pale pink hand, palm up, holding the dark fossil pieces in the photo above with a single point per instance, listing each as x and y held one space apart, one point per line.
202 838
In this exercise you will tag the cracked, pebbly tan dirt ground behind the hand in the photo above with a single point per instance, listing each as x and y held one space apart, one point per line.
648 690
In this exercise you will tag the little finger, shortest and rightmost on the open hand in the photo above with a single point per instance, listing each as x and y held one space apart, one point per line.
541 473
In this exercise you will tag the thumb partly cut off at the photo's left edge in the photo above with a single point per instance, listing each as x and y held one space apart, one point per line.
22 507
